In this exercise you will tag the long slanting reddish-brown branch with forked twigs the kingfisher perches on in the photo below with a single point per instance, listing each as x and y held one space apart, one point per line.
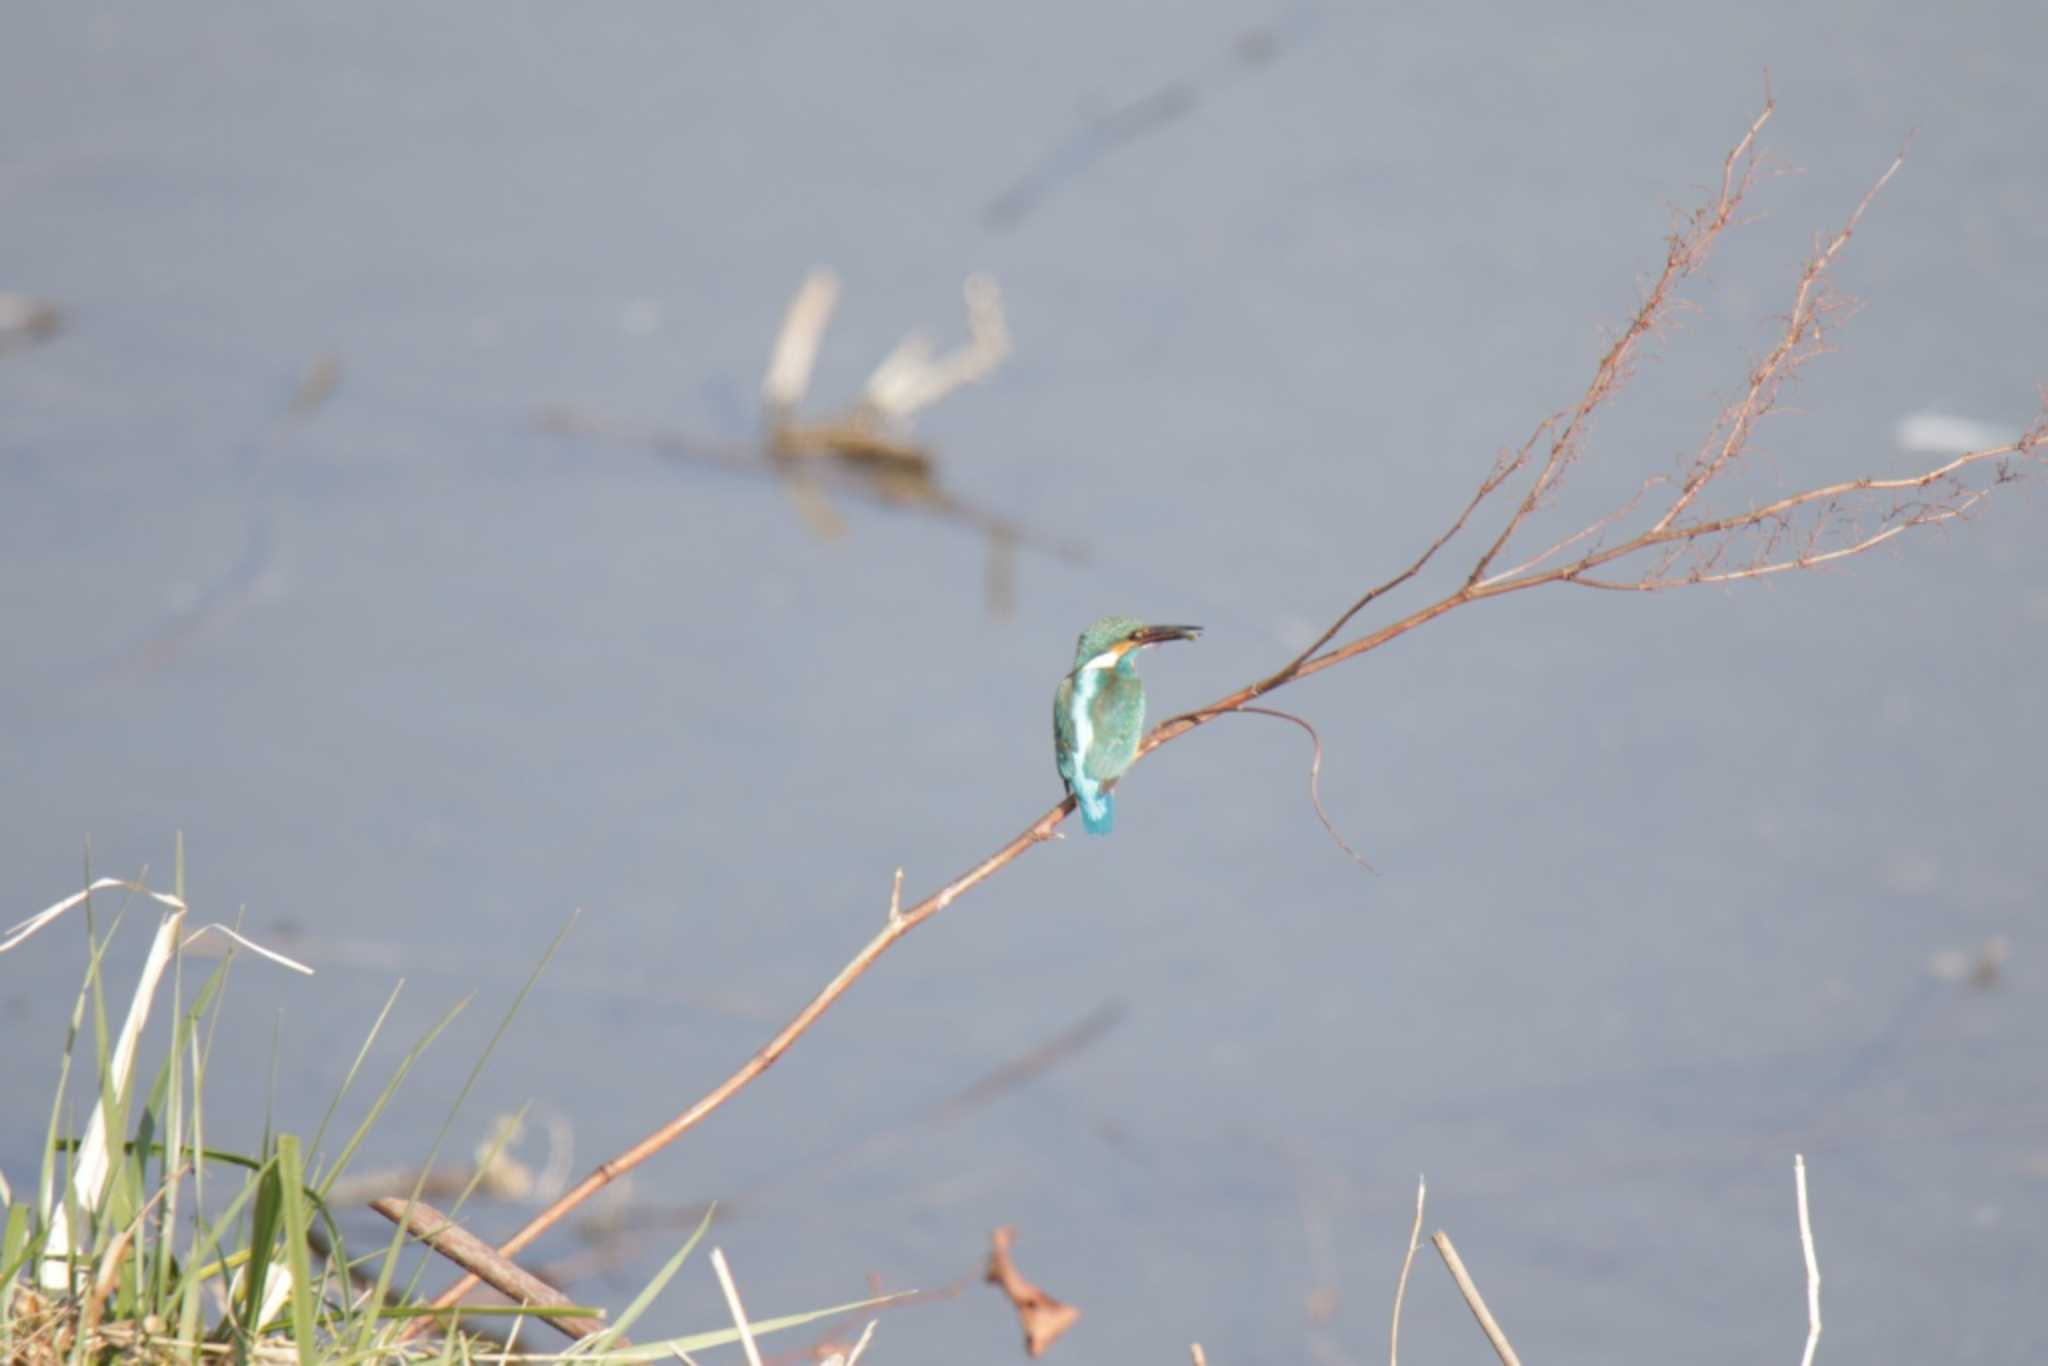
1680 546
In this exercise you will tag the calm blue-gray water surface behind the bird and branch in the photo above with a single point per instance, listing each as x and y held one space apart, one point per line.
1660 880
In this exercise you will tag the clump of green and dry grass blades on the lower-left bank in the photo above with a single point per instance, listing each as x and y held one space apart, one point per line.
140 1240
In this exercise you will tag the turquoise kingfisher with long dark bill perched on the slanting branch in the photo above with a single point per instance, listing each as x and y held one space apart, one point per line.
1099 714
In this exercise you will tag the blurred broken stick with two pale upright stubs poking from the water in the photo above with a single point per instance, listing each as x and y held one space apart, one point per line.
865 450
